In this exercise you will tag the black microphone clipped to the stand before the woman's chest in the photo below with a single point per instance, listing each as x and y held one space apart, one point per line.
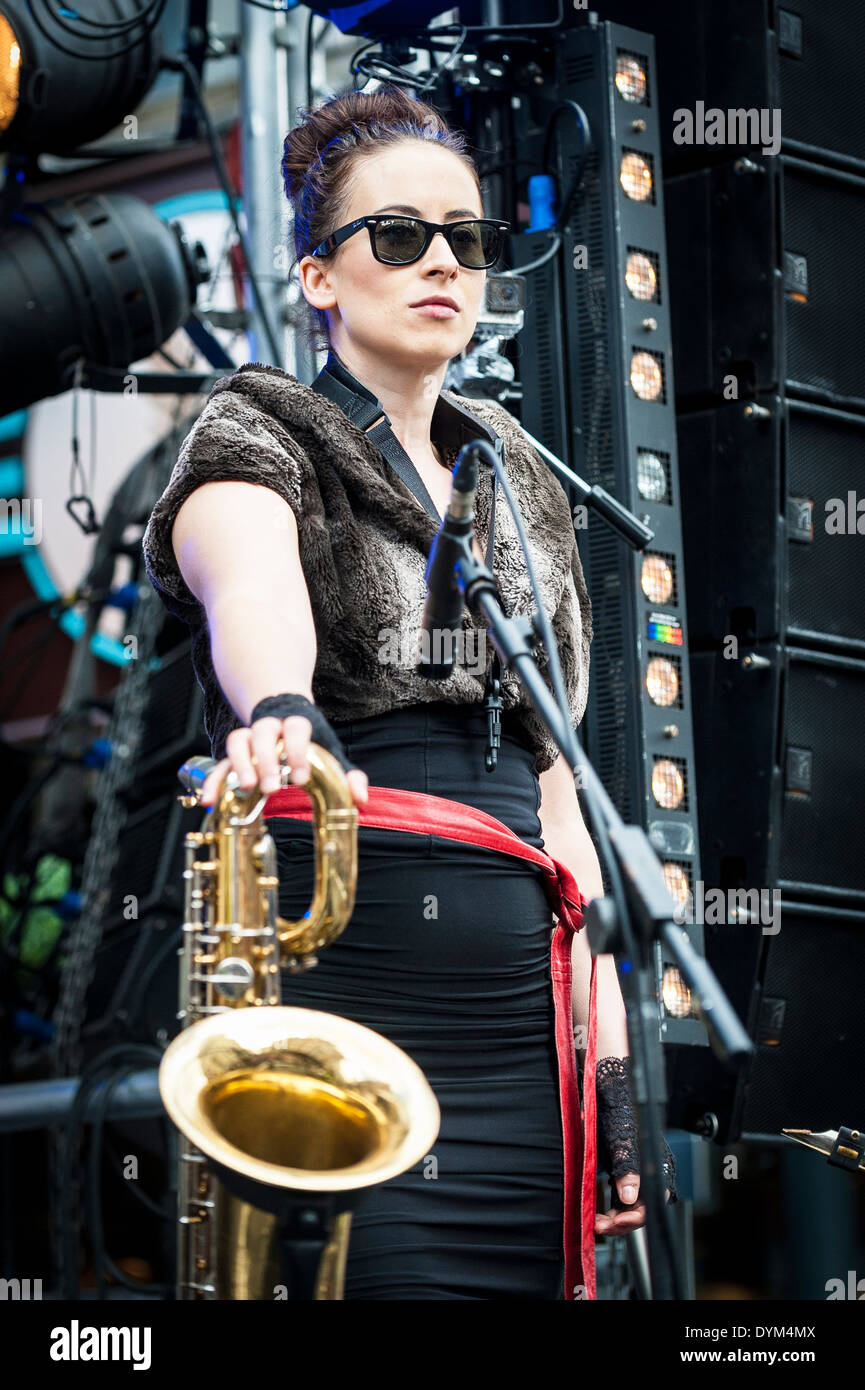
444 604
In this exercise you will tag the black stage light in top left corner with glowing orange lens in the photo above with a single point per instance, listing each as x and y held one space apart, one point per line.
66 80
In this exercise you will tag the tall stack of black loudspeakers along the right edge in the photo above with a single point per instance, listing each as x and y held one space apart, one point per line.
764 134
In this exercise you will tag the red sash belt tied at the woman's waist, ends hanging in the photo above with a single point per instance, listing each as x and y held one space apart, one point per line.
419 814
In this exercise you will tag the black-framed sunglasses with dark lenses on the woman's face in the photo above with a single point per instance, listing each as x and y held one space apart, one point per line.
478 243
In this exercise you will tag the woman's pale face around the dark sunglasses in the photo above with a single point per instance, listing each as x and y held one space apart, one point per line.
371 305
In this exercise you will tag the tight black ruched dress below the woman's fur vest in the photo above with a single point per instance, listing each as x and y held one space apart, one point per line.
447 956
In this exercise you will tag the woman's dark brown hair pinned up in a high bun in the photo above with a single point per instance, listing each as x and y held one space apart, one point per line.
322 151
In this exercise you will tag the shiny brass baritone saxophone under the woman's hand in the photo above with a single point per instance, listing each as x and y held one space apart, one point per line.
286 1115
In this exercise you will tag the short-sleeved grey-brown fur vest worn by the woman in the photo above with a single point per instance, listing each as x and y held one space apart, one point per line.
365 541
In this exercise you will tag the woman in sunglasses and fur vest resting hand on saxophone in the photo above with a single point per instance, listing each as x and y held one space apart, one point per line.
298 557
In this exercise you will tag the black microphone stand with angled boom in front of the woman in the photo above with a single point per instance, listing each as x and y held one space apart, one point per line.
640 908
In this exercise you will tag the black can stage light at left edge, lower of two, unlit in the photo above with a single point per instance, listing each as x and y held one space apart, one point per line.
98 277
